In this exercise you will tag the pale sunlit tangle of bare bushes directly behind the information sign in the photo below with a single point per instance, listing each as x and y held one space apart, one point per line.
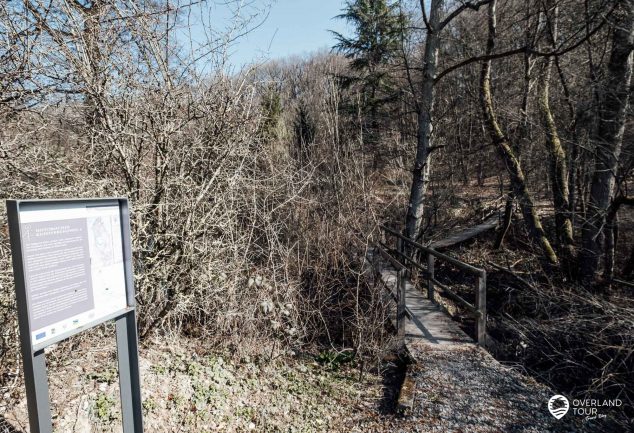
183 149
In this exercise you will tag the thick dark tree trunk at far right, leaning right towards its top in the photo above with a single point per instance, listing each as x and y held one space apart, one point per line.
613 112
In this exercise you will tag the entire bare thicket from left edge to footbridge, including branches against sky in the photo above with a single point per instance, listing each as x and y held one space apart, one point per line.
244 187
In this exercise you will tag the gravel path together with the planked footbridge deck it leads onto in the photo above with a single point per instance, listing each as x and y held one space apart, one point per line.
453 384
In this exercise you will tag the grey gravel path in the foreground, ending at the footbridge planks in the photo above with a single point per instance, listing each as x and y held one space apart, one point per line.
463 389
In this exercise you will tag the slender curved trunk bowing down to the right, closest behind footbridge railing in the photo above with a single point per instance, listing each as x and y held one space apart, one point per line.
513 166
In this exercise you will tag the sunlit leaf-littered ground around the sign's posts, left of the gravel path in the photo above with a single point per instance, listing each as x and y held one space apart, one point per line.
187 389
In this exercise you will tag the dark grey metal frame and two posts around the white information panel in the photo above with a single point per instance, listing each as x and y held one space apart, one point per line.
33 355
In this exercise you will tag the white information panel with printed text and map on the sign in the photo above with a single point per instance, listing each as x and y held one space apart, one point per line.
74 273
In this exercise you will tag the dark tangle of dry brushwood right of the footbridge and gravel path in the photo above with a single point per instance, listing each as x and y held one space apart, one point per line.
576 341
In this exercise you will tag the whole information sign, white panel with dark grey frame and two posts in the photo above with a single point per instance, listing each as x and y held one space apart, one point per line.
72 265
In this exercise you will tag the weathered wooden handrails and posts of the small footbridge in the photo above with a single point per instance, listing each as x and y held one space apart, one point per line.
478 310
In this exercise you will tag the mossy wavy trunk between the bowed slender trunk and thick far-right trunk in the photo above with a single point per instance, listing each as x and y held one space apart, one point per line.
558 166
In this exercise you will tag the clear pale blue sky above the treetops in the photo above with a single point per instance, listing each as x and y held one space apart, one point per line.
292 27
